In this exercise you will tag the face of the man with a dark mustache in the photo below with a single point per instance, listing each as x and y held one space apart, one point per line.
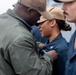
70 11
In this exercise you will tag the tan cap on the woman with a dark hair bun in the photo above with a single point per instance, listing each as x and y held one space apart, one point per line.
56 12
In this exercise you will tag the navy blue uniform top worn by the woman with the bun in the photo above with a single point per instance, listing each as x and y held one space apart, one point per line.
60 45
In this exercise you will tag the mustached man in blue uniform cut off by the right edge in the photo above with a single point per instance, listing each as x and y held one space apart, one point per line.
69 8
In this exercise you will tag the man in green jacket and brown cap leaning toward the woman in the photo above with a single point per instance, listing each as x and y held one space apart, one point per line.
18 48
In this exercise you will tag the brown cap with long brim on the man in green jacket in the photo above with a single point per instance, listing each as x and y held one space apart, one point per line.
38 5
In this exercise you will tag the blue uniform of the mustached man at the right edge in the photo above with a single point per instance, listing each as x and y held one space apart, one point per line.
71 63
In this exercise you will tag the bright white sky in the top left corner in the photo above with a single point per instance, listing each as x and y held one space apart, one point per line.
5 4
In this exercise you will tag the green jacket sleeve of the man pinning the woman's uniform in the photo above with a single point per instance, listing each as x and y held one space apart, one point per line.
25 60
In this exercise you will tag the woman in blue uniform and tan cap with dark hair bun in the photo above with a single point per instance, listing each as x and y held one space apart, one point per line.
52 31
